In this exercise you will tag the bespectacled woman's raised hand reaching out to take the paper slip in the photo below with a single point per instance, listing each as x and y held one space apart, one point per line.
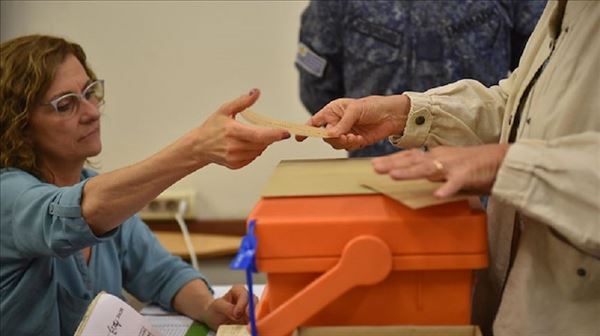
224 141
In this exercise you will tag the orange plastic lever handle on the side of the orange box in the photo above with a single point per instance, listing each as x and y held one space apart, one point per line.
365 260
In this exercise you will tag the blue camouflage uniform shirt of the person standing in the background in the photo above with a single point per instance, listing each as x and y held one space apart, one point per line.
360 48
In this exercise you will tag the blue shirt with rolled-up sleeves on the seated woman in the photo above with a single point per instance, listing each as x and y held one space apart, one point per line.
45 283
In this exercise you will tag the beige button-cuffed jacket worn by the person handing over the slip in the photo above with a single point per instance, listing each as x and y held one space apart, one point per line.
550 176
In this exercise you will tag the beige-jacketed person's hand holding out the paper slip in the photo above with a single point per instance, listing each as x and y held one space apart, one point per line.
355 123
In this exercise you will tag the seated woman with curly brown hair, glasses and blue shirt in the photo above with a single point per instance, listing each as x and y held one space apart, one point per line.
69 233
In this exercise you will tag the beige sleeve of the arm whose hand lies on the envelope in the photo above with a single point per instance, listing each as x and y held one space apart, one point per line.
556 182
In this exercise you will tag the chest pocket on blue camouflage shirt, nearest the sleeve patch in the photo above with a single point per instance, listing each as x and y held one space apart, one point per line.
371 42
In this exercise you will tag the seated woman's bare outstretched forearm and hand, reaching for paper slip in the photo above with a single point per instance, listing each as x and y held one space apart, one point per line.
220 139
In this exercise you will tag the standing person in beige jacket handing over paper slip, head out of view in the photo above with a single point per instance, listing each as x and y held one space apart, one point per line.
532 142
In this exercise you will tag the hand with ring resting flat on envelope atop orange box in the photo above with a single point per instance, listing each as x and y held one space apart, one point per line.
462 168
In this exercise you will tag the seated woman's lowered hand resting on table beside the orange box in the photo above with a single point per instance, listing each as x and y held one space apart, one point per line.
231 308
